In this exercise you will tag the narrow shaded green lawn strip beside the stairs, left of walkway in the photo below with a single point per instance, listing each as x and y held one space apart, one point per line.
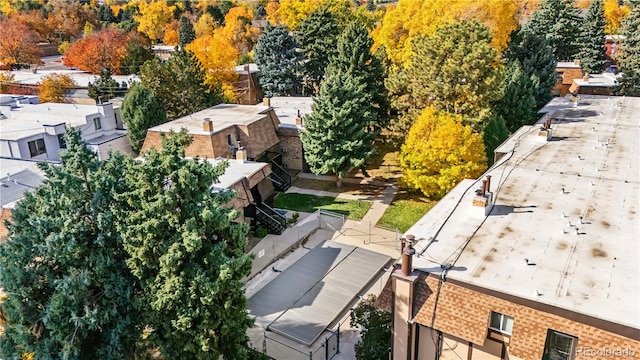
309 203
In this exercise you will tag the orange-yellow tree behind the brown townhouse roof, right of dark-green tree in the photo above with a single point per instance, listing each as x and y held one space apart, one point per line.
218 57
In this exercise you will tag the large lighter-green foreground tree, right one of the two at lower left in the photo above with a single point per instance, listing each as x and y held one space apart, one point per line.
187 254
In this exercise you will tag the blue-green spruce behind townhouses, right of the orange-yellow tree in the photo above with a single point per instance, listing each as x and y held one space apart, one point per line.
278 60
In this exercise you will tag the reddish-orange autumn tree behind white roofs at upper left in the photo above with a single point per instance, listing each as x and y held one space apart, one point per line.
104 49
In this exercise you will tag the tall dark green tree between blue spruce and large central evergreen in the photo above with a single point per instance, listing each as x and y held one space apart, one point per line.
318 38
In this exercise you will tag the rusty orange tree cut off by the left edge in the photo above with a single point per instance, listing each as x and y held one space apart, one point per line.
18 44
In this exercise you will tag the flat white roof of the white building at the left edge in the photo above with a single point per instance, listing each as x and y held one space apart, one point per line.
26 120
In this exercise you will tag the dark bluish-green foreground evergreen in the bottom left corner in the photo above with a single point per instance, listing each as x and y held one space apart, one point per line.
70 292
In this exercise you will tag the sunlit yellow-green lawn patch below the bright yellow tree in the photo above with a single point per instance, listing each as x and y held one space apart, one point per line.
405 210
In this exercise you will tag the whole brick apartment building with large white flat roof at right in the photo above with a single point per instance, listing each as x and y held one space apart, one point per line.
538 259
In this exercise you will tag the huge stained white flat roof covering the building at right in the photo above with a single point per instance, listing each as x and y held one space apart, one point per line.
569 206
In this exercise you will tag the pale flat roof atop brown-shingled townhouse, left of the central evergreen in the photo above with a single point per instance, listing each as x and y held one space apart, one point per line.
222 116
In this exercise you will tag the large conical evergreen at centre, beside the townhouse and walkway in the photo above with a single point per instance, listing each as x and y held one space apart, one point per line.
336 137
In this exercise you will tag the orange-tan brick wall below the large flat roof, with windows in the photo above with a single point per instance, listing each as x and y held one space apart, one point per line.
464 313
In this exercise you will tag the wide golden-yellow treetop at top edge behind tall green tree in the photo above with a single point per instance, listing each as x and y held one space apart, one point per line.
413 18
